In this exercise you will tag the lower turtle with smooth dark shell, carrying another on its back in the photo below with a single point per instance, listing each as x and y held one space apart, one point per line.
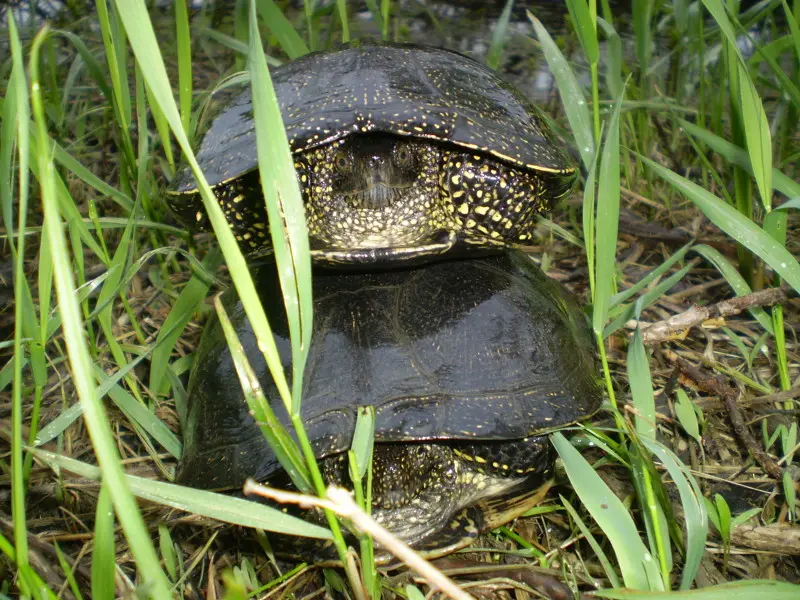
467 363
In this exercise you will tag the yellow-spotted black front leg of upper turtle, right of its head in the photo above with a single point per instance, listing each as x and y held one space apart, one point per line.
491 202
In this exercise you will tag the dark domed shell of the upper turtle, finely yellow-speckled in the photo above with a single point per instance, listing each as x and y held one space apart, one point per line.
400 89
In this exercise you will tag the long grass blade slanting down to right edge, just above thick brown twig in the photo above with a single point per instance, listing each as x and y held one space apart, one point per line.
734 224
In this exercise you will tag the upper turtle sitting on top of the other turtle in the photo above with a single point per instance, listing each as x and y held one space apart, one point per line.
402 152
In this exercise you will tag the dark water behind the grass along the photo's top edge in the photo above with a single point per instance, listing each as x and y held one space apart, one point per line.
463 25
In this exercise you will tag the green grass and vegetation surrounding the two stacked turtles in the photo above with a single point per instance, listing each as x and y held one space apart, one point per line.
105 288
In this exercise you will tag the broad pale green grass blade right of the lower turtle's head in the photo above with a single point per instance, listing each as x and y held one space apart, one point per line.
639 570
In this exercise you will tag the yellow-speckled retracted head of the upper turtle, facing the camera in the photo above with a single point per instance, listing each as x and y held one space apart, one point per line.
374 197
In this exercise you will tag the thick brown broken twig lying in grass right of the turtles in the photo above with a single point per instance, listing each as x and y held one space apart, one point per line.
678 326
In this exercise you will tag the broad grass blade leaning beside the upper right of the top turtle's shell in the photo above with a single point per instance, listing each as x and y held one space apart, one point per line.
580 120
